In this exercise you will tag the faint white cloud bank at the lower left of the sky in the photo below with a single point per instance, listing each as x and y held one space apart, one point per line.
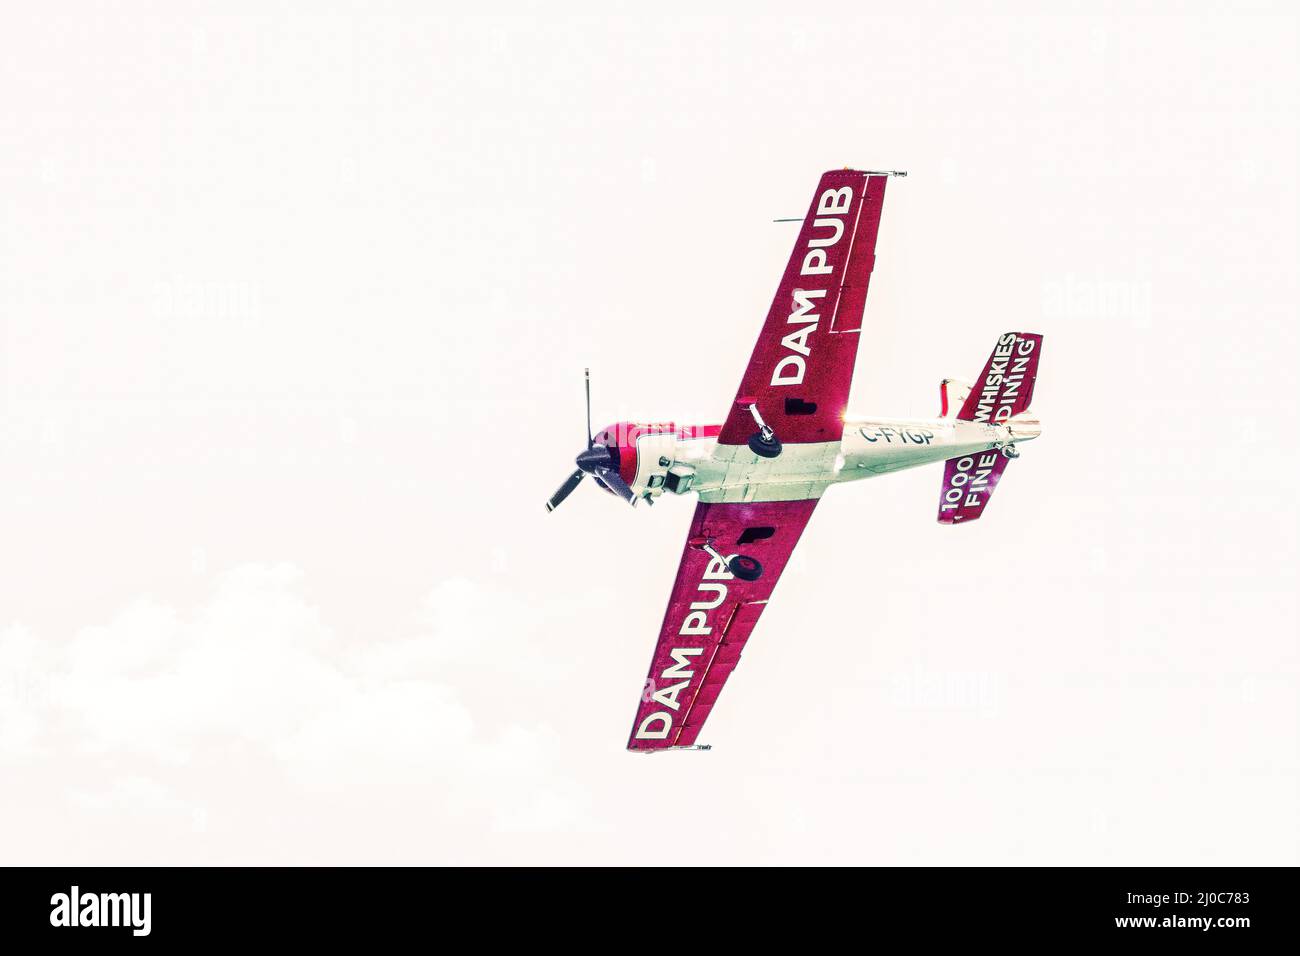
183 712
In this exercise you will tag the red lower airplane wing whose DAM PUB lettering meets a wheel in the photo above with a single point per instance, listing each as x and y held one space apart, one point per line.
712 615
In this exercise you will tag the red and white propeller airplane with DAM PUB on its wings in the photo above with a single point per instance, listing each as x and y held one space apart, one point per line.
786 440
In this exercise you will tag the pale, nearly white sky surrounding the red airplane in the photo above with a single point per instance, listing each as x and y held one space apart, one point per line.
294 315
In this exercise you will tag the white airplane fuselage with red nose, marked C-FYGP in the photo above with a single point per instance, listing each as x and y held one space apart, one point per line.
671 460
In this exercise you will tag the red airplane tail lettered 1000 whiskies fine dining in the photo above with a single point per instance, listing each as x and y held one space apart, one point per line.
1000 397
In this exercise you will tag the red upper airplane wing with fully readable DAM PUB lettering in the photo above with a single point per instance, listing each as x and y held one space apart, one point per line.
803 366
